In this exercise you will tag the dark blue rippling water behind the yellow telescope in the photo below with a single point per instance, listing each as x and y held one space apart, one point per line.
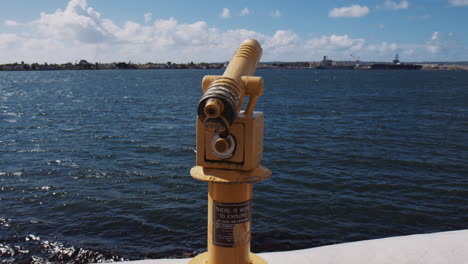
94 165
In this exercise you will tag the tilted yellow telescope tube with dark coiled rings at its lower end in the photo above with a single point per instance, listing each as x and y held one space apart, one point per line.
222 101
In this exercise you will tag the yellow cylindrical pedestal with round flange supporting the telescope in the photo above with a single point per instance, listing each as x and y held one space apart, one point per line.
229 214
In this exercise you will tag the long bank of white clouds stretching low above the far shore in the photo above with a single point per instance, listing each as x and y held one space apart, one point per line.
80 32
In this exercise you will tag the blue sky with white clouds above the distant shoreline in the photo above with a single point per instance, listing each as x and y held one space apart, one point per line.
60 31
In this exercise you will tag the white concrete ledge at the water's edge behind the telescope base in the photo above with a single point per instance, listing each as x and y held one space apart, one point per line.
437 248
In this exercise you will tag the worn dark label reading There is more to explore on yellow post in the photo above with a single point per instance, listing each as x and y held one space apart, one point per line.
231 223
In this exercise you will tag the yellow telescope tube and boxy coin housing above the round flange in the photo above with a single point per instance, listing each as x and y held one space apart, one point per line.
228 138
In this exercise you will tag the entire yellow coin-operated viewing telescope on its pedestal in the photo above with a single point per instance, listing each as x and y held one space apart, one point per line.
229 151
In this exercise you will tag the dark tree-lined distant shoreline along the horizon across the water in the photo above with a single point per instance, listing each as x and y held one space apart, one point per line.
85 65
